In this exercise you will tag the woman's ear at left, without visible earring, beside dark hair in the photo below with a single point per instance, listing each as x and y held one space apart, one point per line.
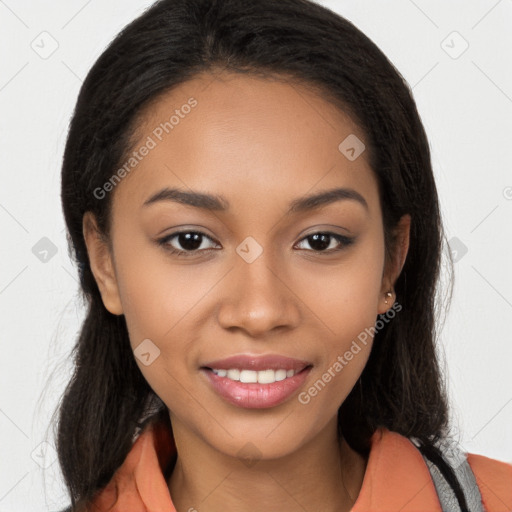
101 261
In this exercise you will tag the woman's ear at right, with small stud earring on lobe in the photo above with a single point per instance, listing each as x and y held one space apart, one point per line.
394 266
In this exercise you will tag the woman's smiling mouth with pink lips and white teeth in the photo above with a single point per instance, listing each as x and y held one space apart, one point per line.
253 382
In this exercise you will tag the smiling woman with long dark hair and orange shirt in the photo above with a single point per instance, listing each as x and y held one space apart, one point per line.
249 196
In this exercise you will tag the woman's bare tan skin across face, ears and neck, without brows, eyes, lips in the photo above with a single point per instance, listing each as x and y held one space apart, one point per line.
260 144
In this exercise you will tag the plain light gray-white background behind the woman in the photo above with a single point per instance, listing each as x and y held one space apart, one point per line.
465 100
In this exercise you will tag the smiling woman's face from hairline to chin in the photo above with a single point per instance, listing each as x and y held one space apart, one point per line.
255 280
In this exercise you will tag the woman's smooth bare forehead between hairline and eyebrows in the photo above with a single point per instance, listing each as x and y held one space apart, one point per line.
249 139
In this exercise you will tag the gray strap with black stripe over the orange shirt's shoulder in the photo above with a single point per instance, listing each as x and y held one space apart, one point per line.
457 460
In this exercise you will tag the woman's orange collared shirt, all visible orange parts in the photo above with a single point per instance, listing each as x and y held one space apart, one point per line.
396 478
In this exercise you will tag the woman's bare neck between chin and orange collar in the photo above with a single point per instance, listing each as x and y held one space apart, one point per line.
324 470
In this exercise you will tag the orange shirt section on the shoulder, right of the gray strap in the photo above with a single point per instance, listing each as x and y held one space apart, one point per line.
494 479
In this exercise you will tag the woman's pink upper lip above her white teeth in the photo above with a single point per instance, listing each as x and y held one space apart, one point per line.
257 363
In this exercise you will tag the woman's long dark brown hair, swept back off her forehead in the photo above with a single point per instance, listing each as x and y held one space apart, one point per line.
401 387
